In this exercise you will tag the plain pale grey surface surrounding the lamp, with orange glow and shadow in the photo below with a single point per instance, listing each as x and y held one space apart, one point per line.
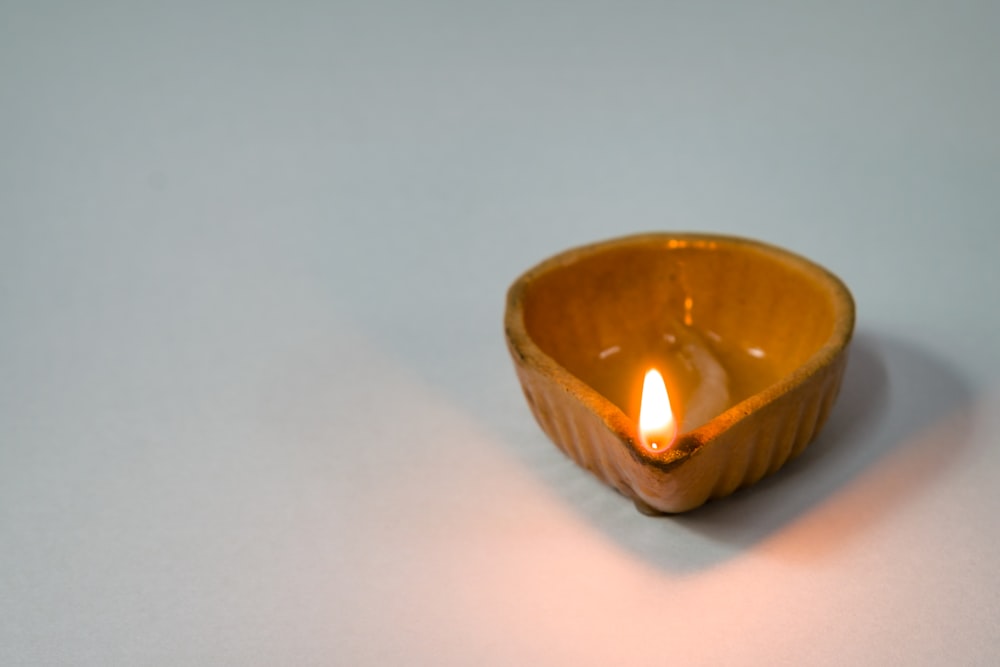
255 403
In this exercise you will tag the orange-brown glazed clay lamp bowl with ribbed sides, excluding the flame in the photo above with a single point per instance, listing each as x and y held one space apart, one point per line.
752 339
